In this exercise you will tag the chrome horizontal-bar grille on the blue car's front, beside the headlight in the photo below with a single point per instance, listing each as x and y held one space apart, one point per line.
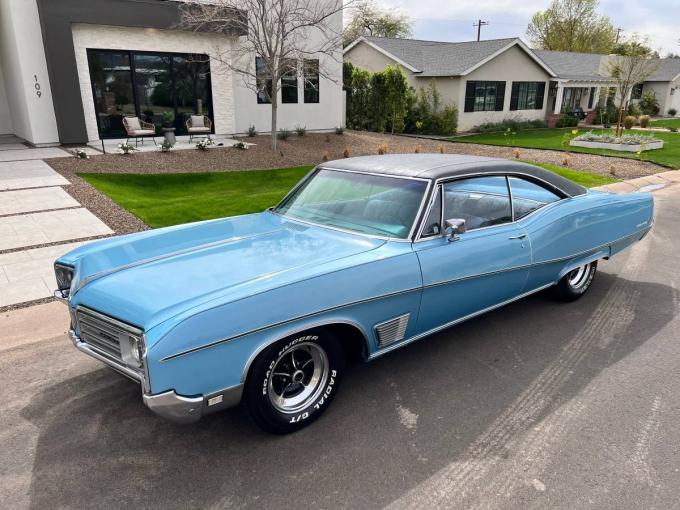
103 333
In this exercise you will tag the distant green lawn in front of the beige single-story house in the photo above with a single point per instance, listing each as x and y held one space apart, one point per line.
669 156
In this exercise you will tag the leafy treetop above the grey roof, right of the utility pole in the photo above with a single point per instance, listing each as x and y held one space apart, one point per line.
572 25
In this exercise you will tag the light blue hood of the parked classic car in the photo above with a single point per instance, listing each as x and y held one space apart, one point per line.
148 279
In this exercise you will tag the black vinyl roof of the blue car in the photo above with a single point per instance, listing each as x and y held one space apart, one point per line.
443 166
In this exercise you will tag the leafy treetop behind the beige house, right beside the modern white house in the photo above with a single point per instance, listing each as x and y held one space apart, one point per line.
367 19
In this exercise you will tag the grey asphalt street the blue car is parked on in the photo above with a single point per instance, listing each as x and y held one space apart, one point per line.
536 405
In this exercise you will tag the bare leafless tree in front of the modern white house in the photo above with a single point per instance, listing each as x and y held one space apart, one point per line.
288 37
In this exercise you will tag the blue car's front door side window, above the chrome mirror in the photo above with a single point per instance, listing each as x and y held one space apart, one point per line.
480 201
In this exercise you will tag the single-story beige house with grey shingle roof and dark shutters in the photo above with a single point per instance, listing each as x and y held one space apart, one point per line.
496 79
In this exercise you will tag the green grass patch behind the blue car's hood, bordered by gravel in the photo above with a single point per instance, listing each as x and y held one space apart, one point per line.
168 199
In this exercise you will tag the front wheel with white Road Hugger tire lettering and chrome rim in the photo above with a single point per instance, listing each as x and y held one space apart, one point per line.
293 381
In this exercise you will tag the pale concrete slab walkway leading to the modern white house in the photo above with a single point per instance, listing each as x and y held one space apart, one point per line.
39 222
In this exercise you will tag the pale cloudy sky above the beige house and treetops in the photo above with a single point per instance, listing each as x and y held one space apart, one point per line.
451 20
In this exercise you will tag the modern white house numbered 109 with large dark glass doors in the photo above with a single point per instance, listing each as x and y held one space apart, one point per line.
71 70
